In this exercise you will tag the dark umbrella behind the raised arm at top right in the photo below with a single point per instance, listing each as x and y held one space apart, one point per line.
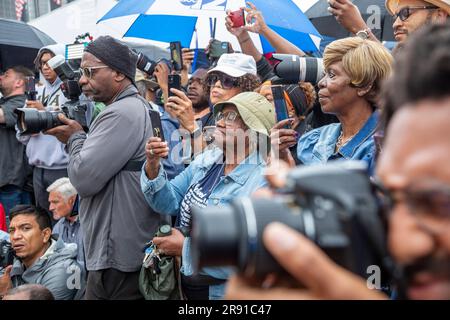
327 25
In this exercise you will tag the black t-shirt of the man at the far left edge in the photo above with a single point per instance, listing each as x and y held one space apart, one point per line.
13 161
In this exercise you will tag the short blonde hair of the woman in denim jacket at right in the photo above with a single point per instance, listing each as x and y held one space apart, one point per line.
366 62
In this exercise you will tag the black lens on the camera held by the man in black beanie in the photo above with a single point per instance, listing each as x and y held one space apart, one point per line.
31 121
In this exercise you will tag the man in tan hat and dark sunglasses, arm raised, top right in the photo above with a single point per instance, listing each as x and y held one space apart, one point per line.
409 16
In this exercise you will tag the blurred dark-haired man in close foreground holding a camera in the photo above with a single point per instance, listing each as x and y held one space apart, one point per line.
413 169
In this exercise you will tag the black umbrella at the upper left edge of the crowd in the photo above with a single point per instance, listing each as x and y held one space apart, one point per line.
20 43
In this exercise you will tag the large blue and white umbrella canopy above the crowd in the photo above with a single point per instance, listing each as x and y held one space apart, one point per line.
195 22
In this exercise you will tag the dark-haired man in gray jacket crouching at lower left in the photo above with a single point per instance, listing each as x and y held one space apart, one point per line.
39 258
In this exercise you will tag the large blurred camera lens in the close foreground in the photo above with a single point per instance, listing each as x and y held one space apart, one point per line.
232 235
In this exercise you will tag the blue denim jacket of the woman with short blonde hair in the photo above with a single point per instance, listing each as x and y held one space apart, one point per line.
318 146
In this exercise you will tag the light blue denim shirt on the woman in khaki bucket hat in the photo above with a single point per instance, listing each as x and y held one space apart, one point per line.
165 196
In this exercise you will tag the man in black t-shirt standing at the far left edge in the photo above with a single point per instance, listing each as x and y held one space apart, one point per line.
13 161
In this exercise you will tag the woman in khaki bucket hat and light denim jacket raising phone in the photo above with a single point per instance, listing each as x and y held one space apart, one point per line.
233 167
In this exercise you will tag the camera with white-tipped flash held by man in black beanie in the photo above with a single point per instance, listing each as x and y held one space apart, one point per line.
30 121
